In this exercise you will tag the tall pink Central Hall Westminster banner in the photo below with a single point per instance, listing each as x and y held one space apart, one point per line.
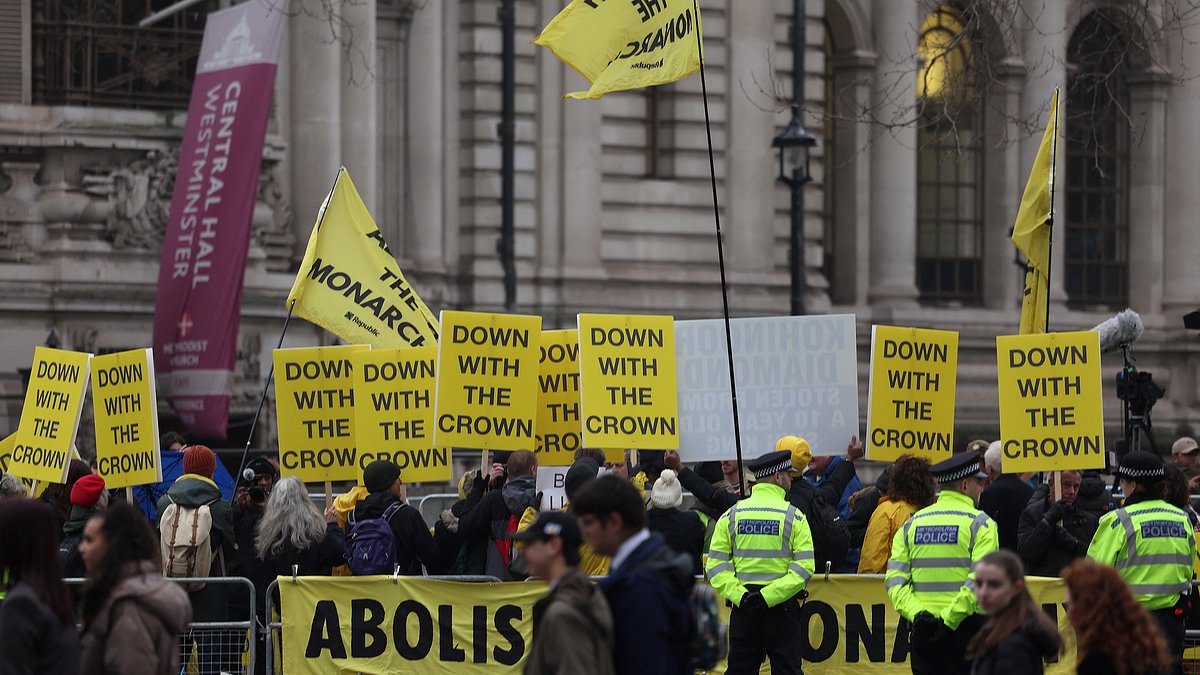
199 307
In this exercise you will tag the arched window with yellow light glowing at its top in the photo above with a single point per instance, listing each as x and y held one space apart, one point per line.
950 163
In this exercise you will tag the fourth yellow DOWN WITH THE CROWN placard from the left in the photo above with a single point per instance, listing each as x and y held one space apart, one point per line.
394 413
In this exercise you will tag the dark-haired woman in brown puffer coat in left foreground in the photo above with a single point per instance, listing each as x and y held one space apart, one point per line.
133 618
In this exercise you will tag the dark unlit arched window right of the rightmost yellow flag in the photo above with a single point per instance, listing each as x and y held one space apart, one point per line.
1097 165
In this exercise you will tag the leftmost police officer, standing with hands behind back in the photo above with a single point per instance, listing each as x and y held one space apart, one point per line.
760 559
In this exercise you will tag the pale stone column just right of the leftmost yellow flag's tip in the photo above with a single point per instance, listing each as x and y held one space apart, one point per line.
359 114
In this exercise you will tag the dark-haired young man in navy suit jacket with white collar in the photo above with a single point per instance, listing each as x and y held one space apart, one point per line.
649 586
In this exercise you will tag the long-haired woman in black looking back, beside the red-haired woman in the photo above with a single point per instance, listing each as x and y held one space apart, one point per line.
1018 636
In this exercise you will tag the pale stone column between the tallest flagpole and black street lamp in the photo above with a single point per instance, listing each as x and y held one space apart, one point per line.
752 163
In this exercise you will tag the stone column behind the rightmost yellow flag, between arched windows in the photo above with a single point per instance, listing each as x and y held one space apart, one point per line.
1046 52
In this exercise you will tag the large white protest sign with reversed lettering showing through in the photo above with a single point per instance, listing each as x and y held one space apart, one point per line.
797 375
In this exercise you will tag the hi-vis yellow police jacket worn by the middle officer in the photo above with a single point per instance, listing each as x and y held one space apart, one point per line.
934 558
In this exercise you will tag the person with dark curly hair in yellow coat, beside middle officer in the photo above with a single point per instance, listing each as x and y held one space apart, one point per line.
910 489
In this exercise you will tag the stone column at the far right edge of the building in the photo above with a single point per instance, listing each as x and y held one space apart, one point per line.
1181 271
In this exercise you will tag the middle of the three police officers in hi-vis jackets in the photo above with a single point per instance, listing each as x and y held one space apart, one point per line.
931 577
